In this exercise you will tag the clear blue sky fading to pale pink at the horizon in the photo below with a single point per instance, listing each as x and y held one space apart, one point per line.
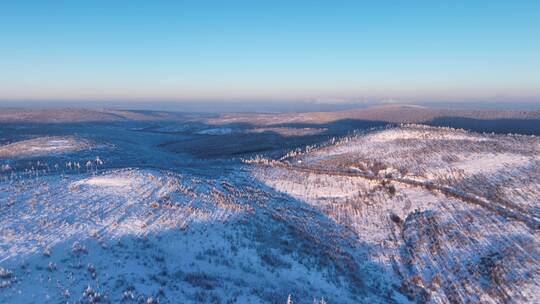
270 50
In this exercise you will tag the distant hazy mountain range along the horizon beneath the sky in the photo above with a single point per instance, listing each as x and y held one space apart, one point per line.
386 113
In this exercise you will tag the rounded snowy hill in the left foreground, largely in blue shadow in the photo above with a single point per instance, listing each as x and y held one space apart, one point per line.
139 235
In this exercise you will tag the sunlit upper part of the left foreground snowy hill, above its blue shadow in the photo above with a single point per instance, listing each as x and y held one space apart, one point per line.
109 205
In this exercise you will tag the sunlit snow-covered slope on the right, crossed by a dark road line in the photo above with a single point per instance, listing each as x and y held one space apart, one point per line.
452 215
